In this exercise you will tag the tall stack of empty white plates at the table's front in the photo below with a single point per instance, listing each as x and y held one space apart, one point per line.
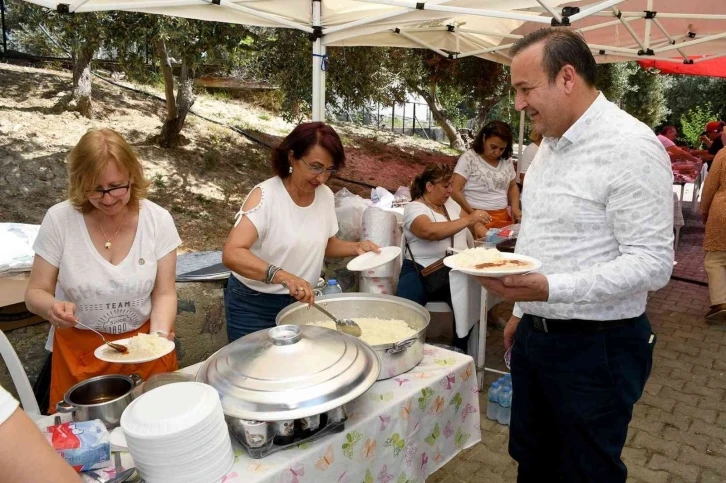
177 434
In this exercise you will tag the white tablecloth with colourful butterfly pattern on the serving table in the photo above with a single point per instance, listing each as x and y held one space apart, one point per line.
400 431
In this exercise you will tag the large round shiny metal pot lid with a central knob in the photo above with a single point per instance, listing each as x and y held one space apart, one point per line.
290 372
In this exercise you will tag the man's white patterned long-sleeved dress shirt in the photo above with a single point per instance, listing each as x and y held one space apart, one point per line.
598 213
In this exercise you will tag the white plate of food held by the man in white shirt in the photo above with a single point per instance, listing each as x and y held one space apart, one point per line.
490 262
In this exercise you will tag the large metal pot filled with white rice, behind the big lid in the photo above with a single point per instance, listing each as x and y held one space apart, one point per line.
393 326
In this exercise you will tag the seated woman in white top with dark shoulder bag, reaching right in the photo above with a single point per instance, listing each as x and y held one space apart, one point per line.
431 224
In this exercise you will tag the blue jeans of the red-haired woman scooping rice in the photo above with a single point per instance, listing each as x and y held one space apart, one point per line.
248 310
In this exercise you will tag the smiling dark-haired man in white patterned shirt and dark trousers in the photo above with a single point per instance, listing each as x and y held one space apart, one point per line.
598 212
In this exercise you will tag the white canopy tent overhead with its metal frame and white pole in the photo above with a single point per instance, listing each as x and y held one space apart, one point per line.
616 30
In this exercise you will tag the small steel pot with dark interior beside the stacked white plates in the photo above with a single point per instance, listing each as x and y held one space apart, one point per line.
101 397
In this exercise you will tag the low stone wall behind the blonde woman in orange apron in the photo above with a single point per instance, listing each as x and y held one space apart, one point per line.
200 331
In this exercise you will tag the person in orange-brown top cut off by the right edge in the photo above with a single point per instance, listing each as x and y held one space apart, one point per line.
713 212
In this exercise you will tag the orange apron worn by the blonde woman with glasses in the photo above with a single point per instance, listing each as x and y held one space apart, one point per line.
73 360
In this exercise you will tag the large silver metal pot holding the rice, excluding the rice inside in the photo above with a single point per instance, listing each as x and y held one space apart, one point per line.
396 358
